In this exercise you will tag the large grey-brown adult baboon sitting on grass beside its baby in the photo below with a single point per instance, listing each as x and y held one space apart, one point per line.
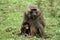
34 17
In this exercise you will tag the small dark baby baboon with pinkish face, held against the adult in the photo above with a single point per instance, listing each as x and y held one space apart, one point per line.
25 29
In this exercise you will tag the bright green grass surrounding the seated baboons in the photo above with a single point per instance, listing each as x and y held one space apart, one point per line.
11 17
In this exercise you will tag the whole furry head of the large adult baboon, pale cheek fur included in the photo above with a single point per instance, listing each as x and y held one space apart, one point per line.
32 13
